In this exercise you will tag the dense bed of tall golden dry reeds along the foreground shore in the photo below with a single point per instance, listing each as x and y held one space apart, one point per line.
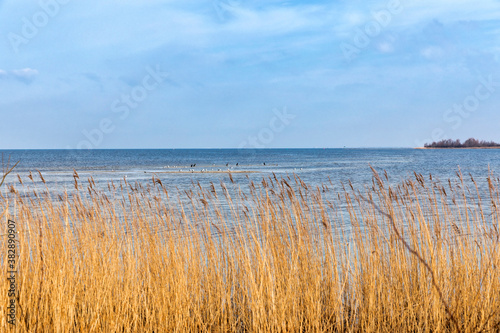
279 256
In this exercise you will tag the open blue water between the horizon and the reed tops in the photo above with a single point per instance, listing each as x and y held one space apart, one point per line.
314 166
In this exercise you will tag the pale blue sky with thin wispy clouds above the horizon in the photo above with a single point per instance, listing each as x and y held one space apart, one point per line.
247 74
